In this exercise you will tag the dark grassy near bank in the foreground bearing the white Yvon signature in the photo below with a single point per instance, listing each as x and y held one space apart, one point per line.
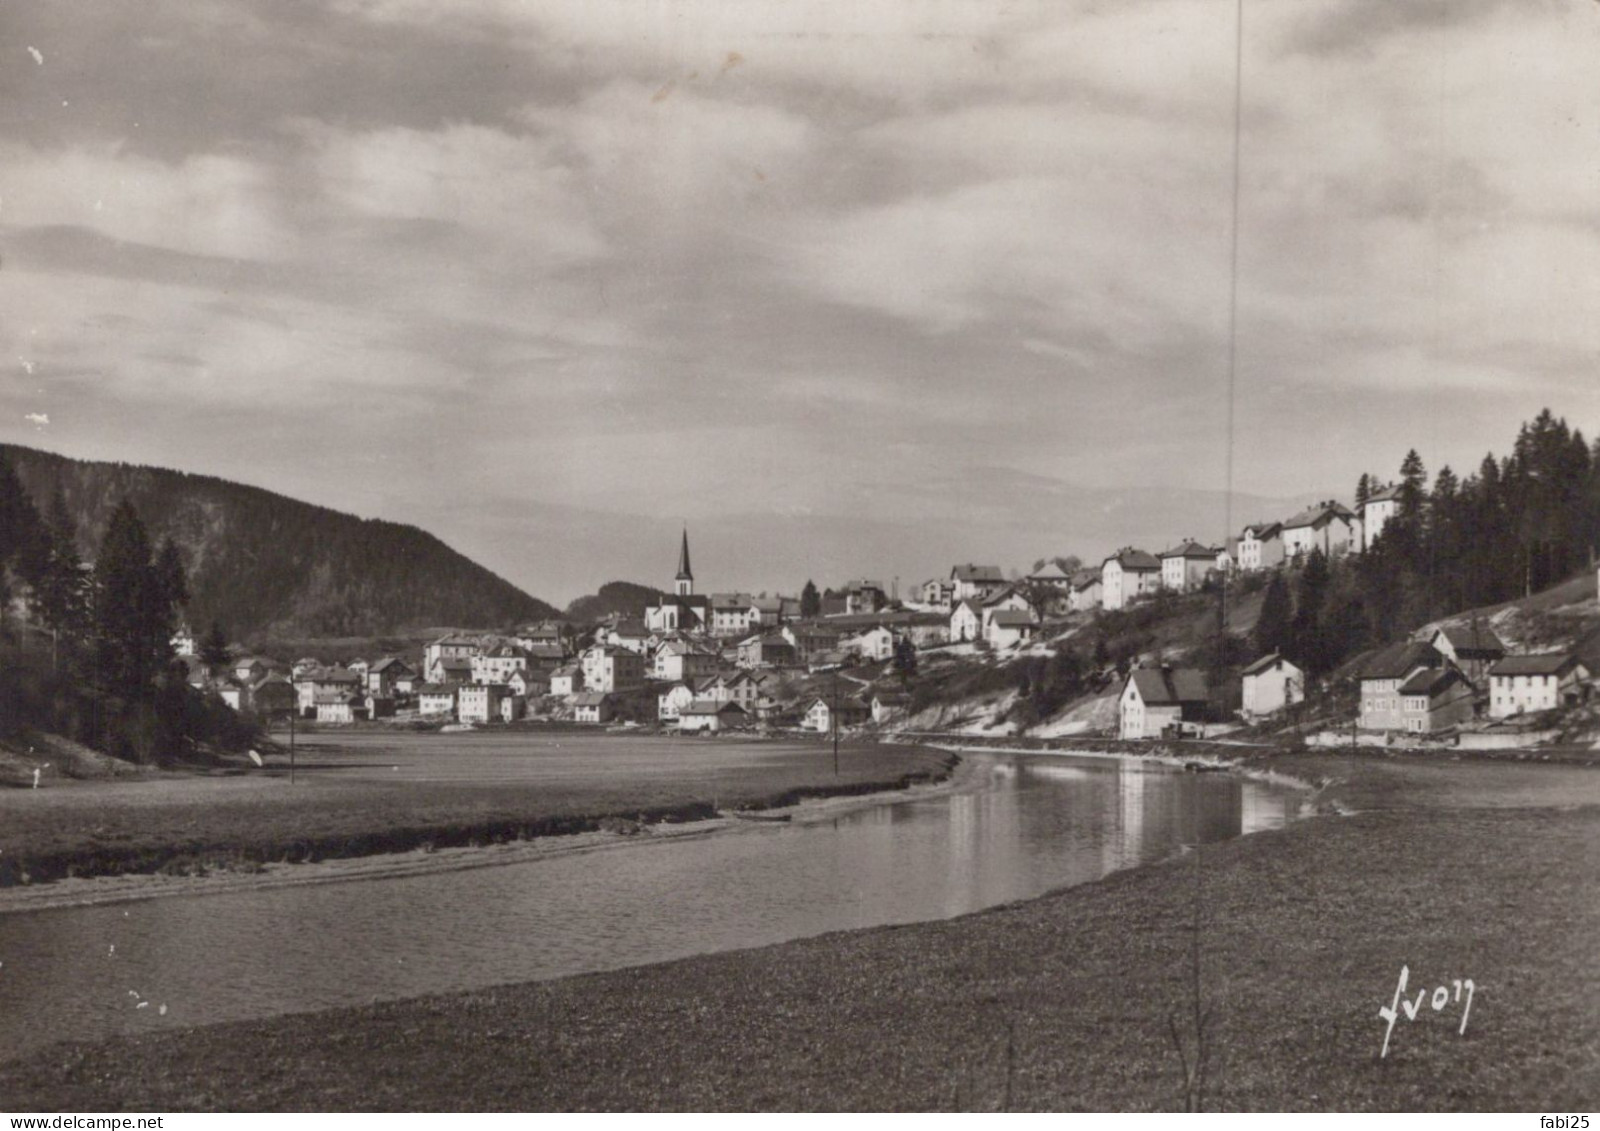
1457 871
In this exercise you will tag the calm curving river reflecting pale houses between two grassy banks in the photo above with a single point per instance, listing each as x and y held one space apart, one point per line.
1031 825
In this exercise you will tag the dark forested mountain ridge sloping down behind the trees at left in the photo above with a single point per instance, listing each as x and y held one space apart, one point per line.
265 564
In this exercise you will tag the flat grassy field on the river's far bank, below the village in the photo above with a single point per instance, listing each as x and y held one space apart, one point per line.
362 793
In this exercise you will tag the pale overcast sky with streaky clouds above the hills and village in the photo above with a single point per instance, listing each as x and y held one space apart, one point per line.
850 287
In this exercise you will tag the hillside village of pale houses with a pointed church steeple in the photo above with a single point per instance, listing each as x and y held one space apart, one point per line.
846 660
